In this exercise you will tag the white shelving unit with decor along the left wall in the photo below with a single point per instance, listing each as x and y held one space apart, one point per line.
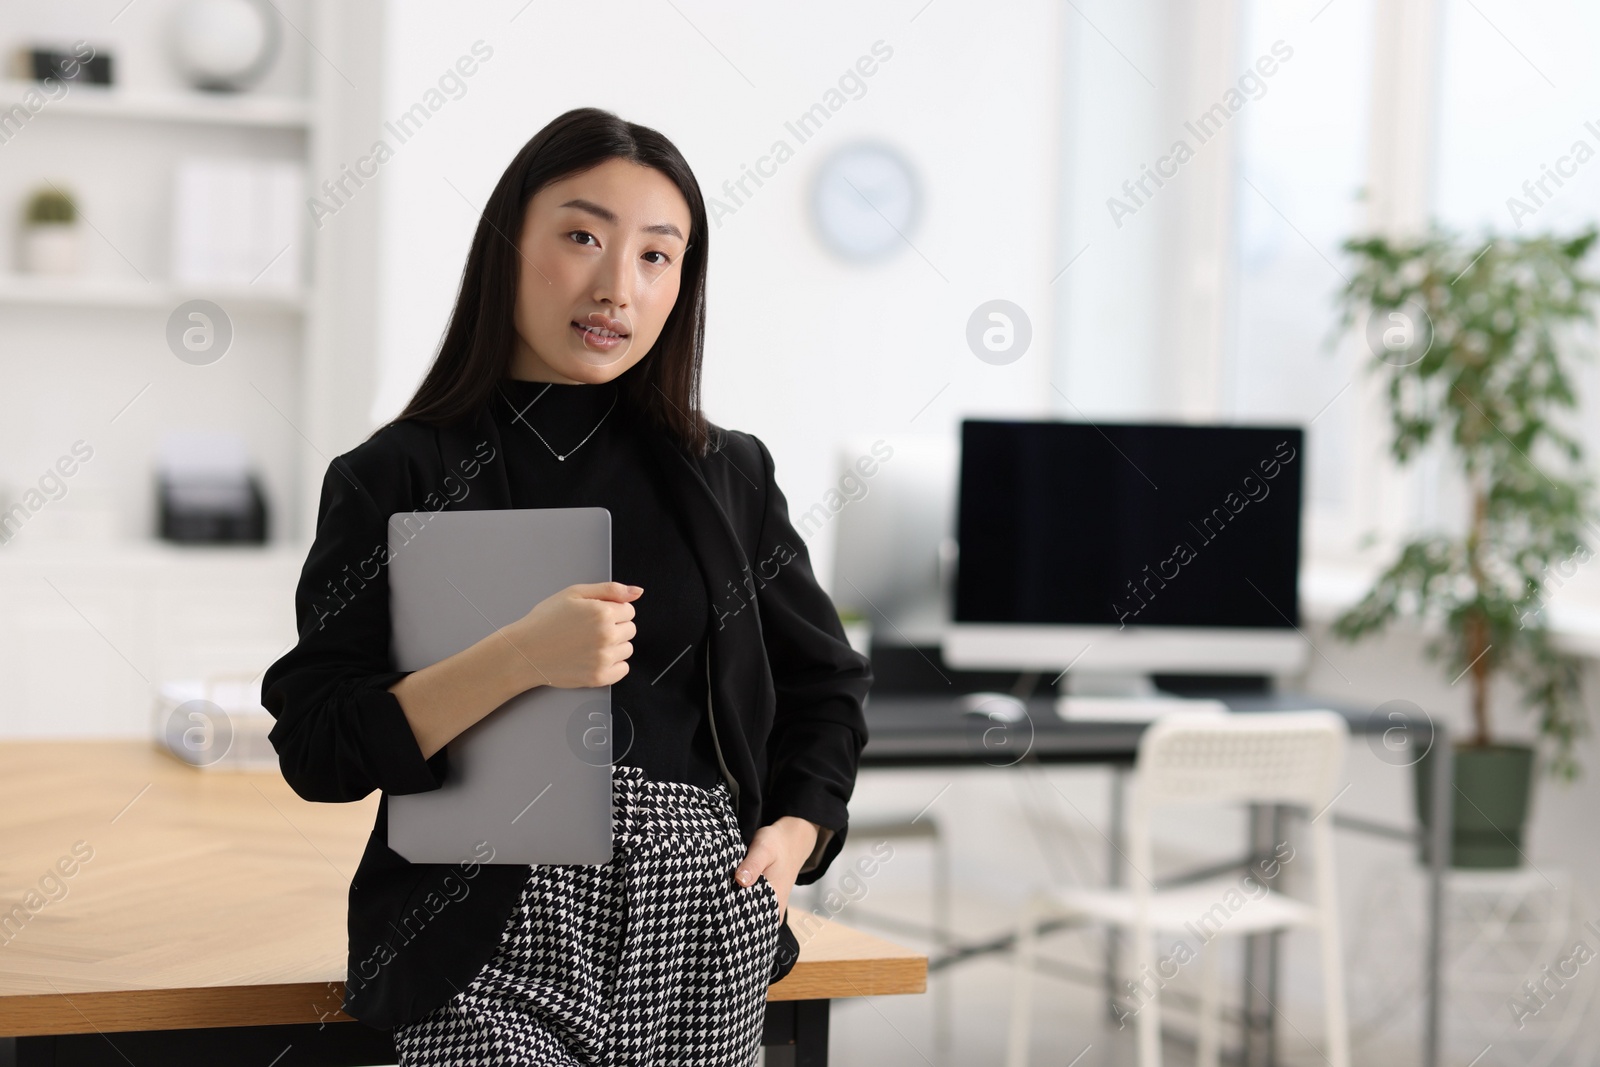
95 623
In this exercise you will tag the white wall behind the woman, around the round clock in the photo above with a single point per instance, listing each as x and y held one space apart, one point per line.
798 350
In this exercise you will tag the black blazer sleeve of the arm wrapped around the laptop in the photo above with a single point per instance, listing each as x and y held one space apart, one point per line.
340 733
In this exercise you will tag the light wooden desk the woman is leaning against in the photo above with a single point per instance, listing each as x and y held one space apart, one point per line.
186 916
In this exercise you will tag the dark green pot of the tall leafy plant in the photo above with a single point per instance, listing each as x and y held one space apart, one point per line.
1492 793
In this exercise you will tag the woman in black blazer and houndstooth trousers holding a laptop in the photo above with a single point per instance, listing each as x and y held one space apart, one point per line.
569 377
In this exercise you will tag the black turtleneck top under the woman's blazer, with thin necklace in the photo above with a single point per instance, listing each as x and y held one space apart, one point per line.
658 709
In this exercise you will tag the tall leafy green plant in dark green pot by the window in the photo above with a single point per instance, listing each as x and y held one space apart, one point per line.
1470 337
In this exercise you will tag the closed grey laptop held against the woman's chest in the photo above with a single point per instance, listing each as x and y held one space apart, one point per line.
532 778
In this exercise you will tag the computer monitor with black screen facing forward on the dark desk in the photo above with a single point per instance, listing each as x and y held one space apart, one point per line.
1127 549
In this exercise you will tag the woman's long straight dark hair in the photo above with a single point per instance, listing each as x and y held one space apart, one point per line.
481 340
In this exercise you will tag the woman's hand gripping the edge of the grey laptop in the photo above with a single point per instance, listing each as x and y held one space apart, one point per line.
578 637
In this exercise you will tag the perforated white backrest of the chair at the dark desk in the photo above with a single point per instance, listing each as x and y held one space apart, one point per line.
1268 757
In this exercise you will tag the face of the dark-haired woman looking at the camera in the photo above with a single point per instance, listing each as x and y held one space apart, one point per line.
601 266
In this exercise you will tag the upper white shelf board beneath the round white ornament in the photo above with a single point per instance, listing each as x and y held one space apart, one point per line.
95 102
